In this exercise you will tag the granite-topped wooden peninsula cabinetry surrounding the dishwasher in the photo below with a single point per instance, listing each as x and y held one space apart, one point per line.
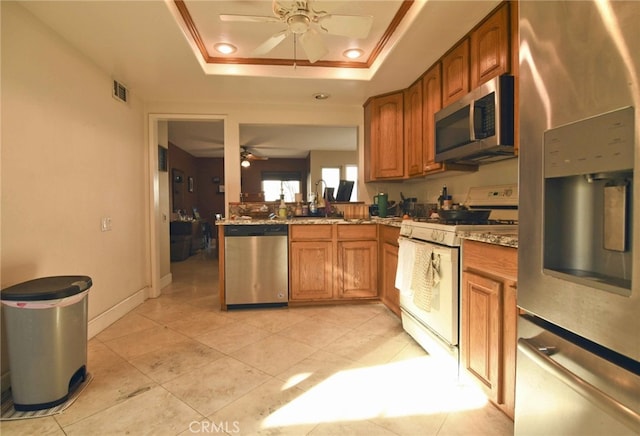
330 260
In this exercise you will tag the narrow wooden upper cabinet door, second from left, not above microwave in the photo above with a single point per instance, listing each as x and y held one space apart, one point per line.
413 129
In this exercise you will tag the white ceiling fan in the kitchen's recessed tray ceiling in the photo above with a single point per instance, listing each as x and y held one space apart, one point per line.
299 16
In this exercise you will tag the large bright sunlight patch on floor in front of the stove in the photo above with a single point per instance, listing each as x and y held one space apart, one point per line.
417 386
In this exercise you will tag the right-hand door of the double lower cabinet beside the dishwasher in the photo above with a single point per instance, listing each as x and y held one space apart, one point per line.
357 269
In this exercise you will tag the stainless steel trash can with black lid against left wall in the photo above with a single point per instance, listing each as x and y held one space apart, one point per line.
46 330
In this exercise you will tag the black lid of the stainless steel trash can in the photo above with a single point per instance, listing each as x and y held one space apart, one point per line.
47 288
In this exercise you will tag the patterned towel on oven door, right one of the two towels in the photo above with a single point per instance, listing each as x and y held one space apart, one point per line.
426 275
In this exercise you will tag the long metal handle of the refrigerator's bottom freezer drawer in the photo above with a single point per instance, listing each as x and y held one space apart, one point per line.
596 396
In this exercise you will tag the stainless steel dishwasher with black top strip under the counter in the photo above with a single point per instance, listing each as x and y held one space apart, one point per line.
256 265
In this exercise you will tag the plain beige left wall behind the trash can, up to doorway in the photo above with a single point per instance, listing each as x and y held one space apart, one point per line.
71 156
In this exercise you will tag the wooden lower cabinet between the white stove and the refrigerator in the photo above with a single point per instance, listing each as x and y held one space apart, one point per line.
489 317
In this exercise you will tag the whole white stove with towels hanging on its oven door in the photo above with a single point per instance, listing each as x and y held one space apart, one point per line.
430 308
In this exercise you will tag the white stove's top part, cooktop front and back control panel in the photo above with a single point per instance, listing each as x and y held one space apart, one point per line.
502 200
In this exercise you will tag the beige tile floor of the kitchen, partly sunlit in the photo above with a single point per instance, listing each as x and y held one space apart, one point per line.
177 365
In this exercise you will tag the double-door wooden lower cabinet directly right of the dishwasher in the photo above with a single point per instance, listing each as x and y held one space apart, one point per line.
333 262
